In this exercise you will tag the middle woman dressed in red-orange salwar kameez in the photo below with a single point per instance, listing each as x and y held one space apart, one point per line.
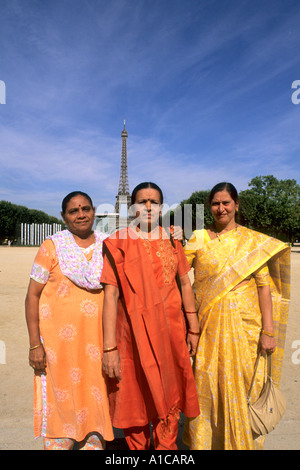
146 356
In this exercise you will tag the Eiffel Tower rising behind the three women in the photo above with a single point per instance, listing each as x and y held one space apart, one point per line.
123 197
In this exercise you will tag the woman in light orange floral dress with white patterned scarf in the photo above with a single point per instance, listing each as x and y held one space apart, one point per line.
64 317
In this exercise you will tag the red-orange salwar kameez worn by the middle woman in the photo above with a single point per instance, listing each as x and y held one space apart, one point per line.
157 380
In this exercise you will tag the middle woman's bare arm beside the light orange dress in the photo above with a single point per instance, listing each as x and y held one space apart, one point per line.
111 359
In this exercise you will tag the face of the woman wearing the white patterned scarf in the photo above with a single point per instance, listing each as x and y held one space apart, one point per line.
79 216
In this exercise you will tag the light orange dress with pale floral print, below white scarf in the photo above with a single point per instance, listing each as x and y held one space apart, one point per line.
70 400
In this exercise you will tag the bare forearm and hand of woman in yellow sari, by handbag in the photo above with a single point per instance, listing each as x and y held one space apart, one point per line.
267 343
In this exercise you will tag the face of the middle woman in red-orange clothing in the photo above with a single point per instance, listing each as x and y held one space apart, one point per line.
147 207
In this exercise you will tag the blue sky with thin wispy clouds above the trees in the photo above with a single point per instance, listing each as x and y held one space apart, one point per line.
205 87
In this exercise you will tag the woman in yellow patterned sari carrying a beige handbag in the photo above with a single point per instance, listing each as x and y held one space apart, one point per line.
241 284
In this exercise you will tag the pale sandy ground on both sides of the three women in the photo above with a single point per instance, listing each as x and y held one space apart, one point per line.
16 395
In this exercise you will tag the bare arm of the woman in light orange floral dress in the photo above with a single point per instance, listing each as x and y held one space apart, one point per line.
37 357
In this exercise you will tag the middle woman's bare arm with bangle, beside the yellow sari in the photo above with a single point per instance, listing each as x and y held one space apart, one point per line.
192 317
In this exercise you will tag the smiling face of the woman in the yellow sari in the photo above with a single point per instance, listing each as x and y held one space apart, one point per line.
223 208
